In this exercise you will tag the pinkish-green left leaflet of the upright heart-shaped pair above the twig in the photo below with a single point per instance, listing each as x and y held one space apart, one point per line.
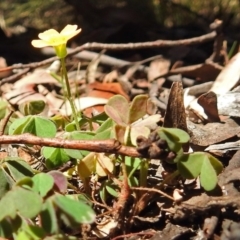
117 108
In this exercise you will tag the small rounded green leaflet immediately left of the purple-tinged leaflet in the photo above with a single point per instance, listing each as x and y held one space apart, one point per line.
42 183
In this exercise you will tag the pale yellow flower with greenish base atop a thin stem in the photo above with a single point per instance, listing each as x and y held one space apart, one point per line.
57 40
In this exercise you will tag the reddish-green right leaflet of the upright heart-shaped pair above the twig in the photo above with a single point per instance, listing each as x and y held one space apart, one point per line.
138 108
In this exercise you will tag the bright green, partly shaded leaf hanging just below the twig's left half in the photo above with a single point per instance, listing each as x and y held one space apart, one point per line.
54 156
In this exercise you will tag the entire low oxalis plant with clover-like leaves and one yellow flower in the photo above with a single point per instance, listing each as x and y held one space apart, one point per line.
35 204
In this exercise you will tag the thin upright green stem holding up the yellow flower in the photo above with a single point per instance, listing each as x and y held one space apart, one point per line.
69 95
